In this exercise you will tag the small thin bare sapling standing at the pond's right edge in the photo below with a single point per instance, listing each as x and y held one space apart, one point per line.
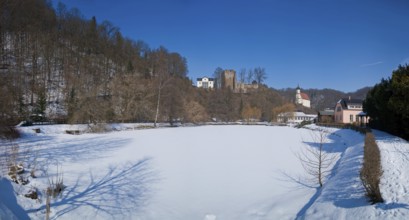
316 161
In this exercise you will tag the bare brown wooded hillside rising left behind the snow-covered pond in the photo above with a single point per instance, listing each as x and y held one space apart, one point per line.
56 64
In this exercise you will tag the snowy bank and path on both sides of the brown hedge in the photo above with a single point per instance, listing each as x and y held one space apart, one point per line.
342 197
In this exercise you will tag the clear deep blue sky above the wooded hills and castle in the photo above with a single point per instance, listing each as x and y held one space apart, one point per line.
338 44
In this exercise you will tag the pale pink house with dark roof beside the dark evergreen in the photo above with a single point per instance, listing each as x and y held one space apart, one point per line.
349 111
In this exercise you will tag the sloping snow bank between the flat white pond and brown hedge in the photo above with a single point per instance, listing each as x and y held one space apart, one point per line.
343 196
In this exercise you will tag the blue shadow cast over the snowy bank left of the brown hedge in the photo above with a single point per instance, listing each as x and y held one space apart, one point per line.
346 194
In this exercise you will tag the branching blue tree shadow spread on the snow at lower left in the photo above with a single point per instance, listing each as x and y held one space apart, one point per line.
122 190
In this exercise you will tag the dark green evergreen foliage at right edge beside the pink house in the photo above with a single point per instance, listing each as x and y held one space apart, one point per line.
387 103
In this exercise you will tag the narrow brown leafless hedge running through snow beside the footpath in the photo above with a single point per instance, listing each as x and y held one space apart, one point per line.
371 169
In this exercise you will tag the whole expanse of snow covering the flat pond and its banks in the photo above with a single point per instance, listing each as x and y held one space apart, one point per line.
207 172
